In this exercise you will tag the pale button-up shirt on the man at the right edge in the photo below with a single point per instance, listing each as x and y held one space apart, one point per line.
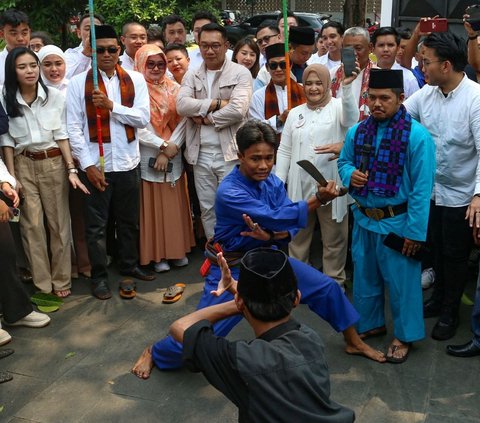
454 123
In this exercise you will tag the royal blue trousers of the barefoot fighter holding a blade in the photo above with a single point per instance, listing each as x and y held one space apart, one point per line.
320 292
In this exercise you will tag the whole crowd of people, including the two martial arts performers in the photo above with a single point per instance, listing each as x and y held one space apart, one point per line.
168 143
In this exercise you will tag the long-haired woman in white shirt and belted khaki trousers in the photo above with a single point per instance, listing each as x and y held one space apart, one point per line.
37 153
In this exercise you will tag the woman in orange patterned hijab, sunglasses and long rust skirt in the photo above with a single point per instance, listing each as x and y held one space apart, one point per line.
166 231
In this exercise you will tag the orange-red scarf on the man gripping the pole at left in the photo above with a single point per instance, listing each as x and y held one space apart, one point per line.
127 94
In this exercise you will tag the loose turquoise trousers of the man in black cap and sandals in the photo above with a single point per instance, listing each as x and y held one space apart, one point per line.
376 267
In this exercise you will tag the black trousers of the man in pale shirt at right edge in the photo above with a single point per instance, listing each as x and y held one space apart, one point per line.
452 241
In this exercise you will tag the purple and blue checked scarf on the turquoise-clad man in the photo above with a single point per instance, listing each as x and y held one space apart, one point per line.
387 165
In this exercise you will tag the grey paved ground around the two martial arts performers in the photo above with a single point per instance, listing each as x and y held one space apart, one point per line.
77 368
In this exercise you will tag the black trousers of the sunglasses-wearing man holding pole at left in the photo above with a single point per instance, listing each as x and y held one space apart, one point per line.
122 197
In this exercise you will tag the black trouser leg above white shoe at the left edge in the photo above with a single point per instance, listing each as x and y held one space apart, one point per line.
14 300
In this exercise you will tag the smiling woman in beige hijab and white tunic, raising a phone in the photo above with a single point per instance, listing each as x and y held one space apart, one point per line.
322 120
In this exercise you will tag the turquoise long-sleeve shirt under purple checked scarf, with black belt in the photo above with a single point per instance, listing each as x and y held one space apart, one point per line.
415 189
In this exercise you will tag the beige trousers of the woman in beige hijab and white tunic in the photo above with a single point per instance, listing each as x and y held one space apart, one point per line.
334 239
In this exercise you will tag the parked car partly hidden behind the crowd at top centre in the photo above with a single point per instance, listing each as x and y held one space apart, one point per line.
249 26
